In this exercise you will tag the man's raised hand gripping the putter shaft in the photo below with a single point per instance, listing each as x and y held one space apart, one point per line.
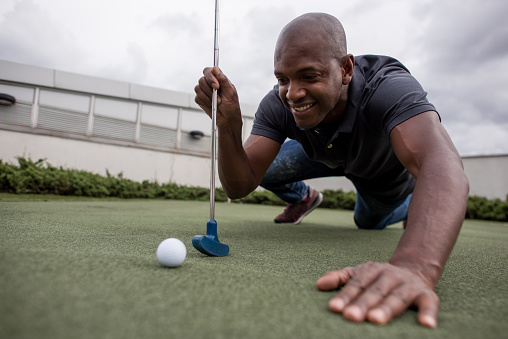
228 105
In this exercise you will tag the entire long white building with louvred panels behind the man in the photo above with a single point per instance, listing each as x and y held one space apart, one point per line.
98 125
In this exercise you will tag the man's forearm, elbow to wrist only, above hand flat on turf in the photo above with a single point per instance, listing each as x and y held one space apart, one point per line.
435 216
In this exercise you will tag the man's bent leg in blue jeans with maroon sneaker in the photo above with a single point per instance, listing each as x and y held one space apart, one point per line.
284 178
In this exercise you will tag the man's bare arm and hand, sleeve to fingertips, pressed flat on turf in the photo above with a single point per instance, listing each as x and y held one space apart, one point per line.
378 292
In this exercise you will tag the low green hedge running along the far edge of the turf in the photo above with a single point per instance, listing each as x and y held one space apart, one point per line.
39 177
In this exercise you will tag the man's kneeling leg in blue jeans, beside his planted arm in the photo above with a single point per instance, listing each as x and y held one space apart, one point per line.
370 213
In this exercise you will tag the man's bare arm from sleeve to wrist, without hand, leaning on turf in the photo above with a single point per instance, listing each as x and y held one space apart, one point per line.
438 205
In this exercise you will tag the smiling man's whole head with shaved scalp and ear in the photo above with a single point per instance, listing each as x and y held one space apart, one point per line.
313 68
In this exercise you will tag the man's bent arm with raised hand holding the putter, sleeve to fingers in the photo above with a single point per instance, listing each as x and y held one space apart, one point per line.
241 167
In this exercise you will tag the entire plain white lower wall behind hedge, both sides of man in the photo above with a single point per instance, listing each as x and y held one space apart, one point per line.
488 175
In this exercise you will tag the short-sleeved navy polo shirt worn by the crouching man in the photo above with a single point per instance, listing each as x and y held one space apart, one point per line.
381 95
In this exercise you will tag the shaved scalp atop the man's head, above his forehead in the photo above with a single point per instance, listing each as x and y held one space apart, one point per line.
314 26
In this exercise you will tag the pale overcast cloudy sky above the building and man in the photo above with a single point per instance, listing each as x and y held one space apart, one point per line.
457 49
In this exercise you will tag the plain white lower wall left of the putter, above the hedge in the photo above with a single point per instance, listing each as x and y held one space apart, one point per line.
135 163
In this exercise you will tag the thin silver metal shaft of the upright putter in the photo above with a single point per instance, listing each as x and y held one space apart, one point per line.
213 150
